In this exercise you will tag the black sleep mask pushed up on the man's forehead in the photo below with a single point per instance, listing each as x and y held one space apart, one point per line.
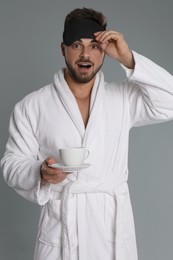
80 29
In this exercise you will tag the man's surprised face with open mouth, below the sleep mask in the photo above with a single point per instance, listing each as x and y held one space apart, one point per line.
84 59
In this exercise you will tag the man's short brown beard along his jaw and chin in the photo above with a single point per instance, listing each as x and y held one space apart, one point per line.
84 78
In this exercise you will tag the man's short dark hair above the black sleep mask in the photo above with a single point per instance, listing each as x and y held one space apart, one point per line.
86 14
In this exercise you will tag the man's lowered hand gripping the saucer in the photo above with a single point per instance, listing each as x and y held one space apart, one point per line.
50 175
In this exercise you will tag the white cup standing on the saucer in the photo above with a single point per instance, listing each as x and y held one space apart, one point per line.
73 156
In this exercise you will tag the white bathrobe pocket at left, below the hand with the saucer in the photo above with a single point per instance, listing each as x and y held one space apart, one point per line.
50 224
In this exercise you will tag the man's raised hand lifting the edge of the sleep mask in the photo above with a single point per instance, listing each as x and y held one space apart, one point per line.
115 46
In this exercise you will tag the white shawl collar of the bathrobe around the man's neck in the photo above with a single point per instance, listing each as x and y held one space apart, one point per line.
69 102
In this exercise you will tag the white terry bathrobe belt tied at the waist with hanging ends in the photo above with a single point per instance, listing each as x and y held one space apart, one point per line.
115 187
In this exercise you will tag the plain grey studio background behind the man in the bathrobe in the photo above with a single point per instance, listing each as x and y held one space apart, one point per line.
30 37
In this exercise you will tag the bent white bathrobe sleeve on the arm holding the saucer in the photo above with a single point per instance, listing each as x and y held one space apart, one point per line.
20 165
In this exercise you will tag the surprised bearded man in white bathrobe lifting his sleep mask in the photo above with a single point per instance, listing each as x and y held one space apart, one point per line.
85 215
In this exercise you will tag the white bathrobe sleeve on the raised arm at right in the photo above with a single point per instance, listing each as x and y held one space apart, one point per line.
150 92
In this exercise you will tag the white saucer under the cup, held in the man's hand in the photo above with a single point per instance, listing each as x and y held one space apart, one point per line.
69 168
